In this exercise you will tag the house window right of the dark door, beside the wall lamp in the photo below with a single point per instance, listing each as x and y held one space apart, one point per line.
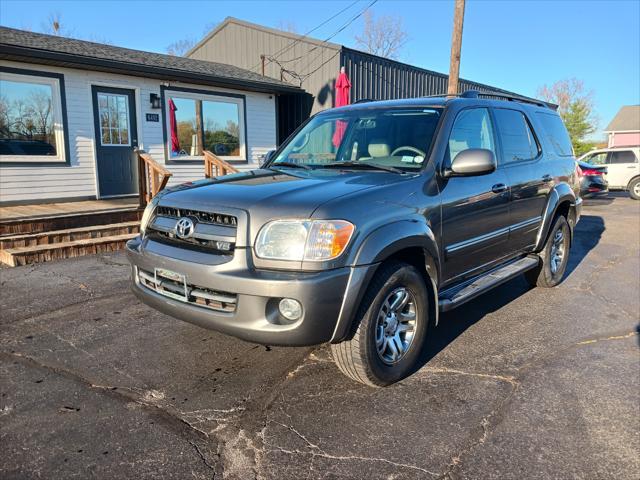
198 122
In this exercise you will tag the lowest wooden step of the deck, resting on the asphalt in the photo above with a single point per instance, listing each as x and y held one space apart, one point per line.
55 251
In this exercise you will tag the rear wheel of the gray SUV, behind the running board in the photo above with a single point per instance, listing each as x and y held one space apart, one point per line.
554 257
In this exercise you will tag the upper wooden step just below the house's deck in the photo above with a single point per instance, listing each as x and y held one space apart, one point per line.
68 235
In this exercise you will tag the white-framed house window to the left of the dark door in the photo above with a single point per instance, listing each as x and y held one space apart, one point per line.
31 119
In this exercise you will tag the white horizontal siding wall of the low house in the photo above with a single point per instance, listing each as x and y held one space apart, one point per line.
38 183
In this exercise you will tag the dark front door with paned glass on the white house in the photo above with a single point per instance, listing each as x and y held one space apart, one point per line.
115 126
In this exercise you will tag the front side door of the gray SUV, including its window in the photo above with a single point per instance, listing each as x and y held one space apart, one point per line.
475 209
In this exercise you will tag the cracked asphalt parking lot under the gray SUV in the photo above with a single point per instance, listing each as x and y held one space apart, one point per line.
521 383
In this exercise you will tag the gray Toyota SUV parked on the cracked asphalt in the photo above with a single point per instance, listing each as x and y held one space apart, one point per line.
364 226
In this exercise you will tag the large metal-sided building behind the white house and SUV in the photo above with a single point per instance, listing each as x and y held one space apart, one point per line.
314 65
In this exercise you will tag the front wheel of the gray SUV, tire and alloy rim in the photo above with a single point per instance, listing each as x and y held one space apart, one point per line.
380 329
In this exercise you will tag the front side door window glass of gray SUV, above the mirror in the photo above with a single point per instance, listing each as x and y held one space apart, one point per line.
472 129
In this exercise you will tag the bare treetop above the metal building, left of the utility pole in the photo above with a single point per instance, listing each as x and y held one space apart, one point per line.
384 36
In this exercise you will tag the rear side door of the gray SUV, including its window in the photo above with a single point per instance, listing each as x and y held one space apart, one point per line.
529 175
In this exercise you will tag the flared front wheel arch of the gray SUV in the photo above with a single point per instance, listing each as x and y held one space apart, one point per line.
377 247
